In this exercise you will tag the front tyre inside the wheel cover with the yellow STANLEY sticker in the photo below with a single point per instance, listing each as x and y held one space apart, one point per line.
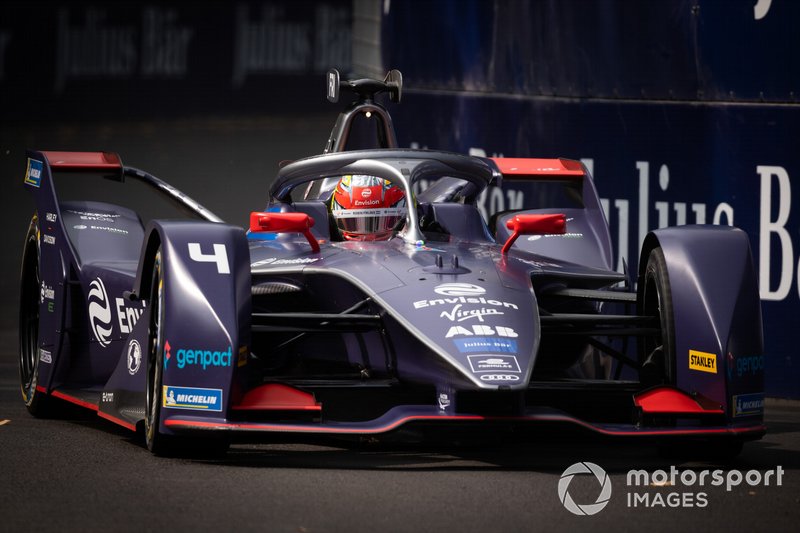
657 352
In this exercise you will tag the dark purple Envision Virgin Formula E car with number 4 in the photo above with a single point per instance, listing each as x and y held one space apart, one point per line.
372 295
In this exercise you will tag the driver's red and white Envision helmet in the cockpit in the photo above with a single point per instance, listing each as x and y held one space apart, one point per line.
367 208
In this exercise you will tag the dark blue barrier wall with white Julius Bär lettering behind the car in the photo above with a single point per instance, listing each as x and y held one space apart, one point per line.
685 112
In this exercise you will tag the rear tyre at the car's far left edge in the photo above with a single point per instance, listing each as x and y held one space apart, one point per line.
37 402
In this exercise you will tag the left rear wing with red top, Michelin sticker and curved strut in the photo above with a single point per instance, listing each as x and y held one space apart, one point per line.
42 165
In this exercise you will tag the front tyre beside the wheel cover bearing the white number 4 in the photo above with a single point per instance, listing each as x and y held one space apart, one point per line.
158 442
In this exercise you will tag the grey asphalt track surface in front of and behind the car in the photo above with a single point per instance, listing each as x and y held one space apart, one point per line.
81 473
